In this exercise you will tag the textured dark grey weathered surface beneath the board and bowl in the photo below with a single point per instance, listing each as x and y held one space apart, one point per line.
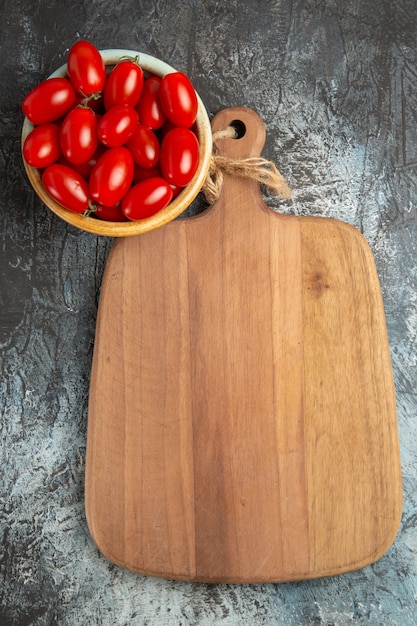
336 84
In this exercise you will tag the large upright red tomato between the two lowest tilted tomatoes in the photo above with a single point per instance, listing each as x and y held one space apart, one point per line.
111 176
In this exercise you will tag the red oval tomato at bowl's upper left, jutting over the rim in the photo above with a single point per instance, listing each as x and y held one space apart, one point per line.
49 101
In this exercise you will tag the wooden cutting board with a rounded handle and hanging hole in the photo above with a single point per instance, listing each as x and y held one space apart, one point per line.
242 420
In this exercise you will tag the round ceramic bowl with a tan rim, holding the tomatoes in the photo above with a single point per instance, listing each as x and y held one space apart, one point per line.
150 65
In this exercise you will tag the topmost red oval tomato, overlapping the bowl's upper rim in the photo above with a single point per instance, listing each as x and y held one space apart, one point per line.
86 68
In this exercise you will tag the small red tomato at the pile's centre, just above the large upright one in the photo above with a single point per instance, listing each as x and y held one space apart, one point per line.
117 125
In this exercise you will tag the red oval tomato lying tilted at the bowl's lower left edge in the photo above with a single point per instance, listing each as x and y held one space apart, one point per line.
67 187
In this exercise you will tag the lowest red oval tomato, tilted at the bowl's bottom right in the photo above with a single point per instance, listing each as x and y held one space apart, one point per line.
146 198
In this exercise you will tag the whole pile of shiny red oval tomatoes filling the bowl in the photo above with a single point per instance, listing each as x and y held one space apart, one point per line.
117 144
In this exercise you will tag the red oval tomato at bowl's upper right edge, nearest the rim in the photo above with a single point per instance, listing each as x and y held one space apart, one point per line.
178 99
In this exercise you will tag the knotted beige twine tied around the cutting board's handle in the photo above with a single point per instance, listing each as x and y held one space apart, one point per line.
255 168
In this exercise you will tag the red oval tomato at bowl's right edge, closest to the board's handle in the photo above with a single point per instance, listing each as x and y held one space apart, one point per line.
180 155
